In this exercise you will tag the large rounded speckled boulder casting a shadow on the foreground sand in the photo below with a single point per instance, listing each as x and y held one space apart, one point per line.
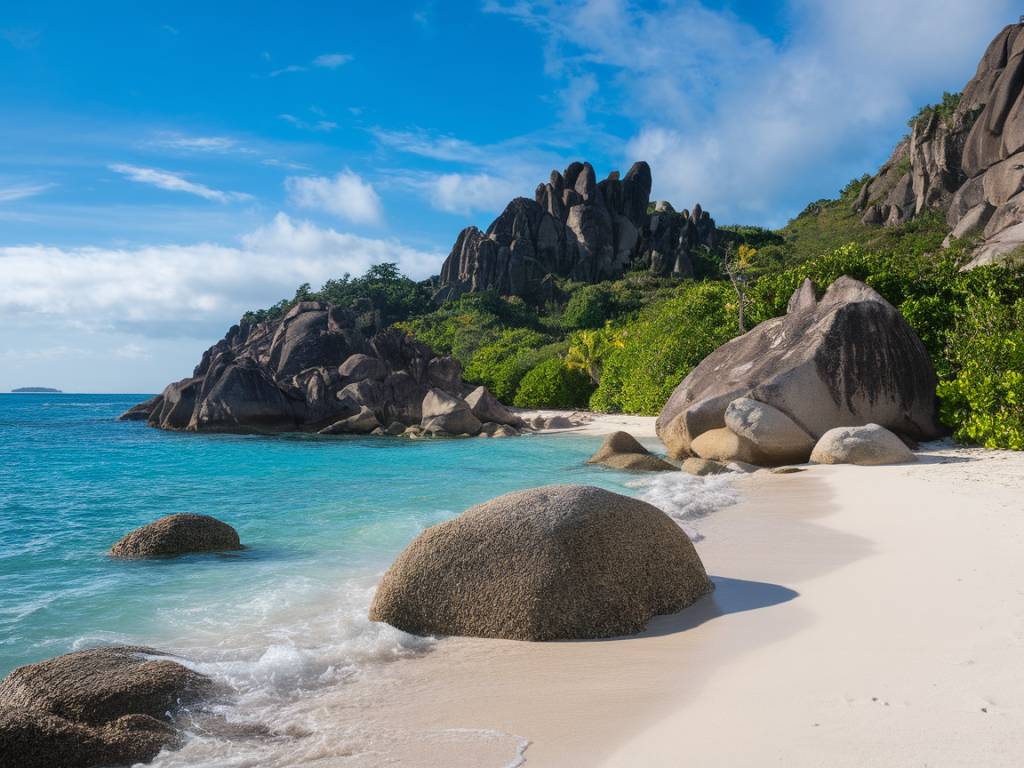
558 563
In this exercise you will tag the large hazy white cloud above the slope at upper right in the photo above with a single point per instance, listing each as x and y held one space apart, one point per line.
750 126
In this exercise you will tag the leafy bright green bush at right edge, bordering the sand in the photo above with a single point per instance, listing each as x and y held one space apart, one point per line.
985 402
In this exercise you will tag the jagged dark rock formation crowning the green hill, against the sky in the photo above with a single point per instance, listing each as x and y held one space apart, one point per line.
580 229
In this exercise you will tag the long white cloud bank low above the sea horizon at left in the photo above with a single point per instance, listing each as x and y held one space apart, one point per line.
183 290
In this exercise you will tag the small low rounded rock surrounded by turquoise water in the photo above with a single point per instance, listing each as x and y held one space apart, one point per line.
178 535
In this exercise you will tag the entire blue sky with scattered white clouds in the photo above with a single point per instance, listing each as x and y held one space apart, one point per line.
164 168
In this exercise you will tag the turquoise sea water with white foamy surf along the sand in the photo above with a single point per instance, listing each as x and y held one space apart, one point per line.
283 624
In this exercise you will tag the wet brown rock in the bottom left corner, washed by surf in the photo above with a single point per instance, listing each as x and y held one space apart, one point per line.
95 708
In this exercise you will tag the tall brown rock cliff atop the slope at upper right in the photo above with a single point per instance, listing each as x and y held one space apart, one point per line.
969 164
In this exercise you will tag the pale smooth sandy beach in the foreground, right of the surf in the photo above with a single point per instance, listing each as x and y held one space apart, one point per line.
863 617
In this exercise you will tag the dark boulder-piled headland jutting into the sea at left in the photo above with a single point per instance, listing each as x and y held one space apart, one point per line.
313 370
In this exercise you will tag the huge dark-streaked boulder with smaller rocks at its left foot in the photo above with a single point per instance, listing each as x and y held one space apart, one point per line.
848 360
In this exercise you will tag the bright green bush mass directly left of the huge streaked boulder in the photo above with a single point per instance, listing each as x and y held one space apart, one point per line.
650 357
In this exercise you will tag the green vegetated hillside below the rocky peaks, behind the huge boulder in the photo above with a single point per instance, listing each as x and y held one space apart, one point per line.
624 346
